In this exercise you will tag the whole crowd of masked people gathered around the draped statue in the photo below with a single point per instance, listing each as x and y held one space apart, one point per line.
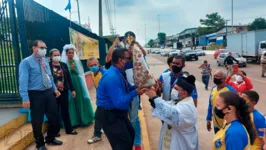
50 87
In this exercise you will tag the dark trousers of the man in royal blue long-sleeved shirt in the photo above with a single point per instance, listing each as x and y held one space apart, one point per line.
117 128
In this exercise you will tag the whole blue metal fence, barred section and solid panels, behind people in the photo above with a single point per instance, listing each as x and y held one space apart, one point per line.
22 23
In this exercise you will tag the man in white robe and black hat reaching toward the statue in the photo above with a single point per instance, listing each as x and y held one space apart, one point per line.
179 130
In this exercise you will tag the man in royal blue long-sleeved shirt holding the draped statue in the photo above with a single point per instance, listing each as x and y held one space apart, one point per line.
114 95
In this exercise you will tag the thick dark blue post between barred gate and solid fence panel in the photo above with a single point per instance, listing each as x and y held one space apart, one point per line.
22 28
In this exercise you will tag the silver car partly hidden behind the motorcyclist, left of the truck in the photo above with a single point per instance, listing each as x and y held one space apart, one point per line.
222 56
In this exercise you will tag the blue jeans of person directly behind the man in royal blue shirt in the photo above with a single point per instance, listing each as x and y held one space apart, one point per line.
134 119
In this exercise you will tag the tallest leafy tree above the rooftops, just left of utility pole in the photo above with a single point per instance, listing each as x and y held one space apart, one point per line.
213 20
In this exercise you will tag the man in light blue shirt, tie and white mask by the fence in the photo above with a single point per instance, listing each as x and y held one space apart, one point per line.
38 91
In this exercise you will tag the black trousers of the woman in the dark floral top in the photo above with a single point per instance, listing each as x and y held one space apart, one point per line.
62 102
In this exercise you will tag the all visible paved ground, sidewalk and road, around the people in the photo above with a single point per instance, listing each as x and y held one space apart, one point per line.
157 65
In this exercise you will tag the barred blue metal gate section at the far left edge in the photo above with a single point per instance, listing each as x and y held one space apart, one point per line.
9 52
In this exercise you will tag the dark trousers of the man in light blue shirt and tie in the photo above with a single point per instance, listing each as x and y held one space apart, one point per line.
44 102
